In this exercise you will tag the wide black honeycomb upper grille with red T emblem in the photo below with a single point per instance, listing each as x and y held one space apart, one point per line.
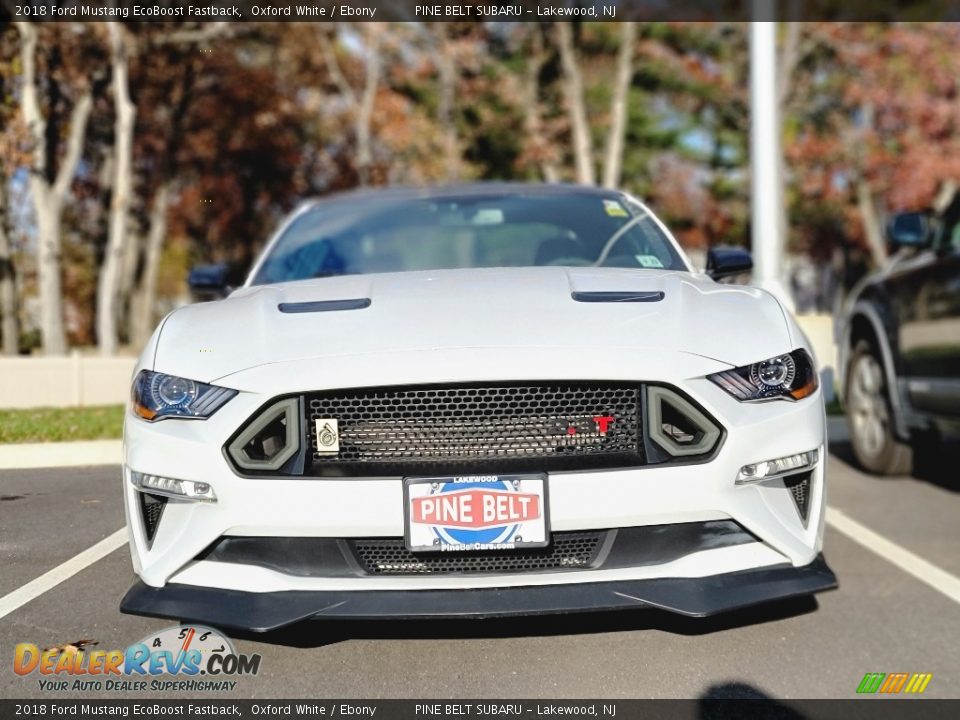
493 427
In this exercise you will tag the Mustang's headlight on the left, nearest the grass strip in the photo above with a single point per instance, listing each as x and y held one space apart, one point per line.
157 396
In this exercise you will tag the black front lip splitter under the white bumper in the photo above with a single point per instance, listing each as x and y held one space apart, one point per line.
262 612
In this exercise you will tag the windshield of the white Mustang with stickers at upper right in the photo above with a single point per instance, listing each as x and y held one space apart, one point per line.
369 234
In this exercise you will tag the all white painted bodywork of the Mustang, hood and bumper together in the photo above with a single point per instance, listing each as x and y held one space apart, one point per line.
470 326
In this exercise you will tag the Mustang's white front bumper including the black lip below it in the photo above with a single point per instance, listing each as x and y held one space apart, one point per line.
179 579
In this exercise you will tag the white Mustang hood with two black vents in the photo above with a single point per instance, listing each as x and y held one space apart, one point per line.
522 308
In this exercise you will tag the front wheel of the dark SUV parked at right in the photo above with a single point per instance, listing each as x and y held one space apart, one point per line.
870 418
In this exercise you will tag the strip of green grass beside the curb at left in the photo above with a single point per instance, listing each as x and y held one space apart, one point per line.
61 424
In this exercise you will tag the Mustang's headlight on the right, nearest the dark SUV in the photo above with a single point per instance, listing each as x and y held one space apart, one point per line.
791 376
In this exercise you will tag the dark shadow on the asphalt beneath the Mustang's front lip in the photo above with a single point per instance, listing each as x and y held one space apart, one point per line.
317 633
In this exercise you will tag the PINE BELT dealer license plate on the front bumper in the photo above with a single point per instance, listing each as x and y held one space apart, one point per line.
476 512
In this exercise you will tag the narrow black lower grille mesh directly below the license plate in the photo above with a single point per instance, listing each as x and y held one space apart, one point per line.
567 551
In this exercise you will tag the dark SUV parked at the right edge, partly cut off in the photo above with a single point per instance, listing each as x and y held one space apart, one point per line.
899 345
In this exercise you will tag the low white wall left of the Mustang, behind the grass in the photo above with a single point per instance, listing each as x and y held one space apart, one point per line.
29 382
